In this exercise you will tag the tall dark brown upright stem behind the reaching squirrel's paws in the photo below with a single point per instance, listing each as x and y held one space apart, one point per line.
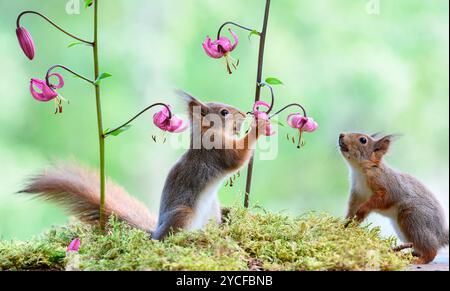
262 45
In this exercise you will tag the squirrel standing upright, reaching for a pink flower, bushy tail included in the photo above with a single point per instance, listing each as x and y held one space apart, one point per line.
189 199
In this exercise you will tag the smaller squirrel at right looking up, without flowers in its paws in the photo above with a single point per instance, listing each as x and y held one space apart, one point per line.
416 214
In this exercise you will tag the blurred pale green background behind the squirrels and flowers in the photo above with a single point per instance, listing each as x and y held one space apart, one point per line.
353 70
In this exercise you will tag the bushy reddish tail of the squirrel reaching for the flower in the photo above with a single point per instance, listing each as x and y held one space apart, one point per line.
77 189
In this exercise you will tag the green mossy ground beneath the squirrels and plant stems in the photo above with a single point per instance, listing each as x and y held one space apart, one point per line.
247 240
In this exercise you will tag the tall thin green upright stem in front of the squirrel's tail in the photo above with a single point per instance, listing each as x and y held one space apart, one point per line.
99 120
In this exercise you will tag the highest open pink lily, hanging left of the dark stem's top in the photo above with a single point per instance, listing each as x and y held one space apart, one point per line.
222 48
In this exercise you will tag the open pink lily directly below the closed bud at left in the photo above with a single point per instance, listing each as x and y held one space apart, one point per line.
44 93
